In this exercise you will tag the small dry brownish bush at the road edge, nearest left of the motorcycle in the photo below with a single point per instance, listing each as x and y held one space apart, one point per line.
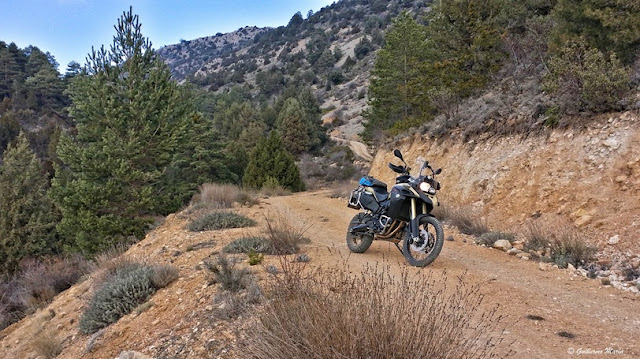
285 232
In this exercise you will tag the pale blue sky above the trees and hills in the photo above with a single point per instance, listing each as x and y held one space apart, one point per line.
68 28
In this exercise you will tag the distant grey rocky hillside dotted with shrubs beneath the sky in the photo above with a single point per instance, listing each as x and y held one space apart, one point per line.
332 50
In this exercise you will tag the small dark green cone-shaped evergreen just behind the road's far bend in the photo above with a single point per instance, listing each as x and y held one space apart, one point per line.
270 160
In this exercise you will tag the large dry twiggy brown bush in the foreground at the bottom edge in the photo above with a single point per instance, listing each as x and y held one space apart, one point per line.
375 315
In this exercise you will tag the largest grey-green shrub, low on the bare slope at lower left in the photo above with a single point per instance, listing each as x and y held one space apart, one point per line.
117 297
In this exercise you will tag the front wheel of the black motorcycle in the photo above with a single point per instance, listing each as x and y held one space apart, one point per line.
427 247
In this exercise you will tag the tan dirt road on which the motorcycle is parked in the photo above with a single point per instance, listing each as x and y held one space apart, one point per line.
604 321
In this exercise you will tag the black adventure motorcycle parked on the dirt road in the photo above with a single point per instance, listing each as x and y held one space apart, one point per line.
404 214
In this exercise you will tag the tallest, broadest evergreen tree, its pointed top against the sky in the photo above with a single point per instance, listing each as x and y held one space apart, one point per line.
140 149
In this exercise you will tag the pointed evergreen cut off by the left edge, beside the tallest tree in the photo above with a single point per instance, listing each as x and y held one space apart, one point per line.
27 215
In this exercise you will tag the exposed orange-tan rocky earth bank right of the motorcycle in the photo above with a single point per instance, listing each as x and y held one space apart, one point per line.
589 178
